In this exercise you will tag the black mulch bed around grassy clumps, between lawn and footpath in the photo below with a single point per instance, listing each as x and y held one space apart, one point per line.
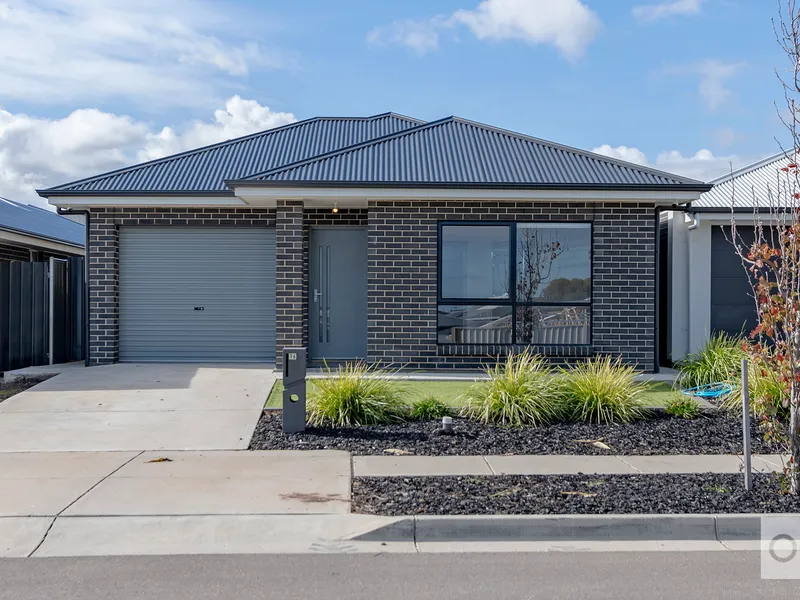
713 433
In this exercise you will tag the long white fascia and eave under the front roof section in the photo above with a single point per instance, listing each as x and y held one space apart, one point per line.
268 195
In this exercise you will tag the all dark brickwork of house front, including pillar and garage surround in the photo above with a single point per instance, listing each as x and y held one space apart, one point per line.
402 272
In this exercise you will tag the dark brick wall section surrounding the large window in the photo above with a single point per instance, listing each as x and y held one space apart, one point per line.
403 277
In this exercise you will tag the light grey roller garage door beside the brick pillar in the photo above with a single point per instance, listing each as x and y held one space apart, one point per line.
197 294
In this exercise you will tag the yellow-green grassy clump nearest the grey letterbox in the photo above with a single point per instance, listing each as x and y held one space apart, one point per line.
356 394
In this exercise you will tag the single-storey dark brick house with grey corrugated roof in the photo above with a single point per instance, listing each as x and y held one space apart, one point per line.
421 245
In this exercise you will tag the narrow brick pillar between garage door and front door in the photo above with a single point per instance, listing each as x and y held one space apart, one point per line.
289 292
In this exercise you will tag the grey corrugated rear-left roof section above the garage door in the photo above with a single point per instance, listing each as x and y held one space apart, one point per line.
205 170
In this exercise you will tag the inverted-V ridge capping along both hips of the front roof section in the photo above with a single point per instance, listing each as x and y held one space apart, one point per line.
484 126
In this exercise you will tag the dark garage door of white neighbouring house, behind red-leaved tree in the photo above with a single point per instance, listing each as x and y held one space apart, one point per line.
732 304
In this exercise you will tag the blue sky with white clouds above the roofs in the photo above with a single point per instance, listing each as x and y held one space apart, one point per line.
89 85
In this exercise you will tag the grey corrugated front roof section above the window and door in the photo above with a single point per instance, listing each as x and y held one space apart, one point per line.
456 152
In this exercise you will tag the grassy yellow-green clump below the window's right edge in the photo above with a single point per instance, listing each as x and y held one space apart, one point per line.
602 391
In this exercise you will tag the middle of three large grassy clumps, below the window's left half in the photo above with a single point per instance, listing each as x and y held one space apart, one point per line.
520 391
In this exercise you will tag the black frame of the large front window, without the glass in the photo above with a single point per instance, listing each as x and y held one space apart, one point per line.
512 300
